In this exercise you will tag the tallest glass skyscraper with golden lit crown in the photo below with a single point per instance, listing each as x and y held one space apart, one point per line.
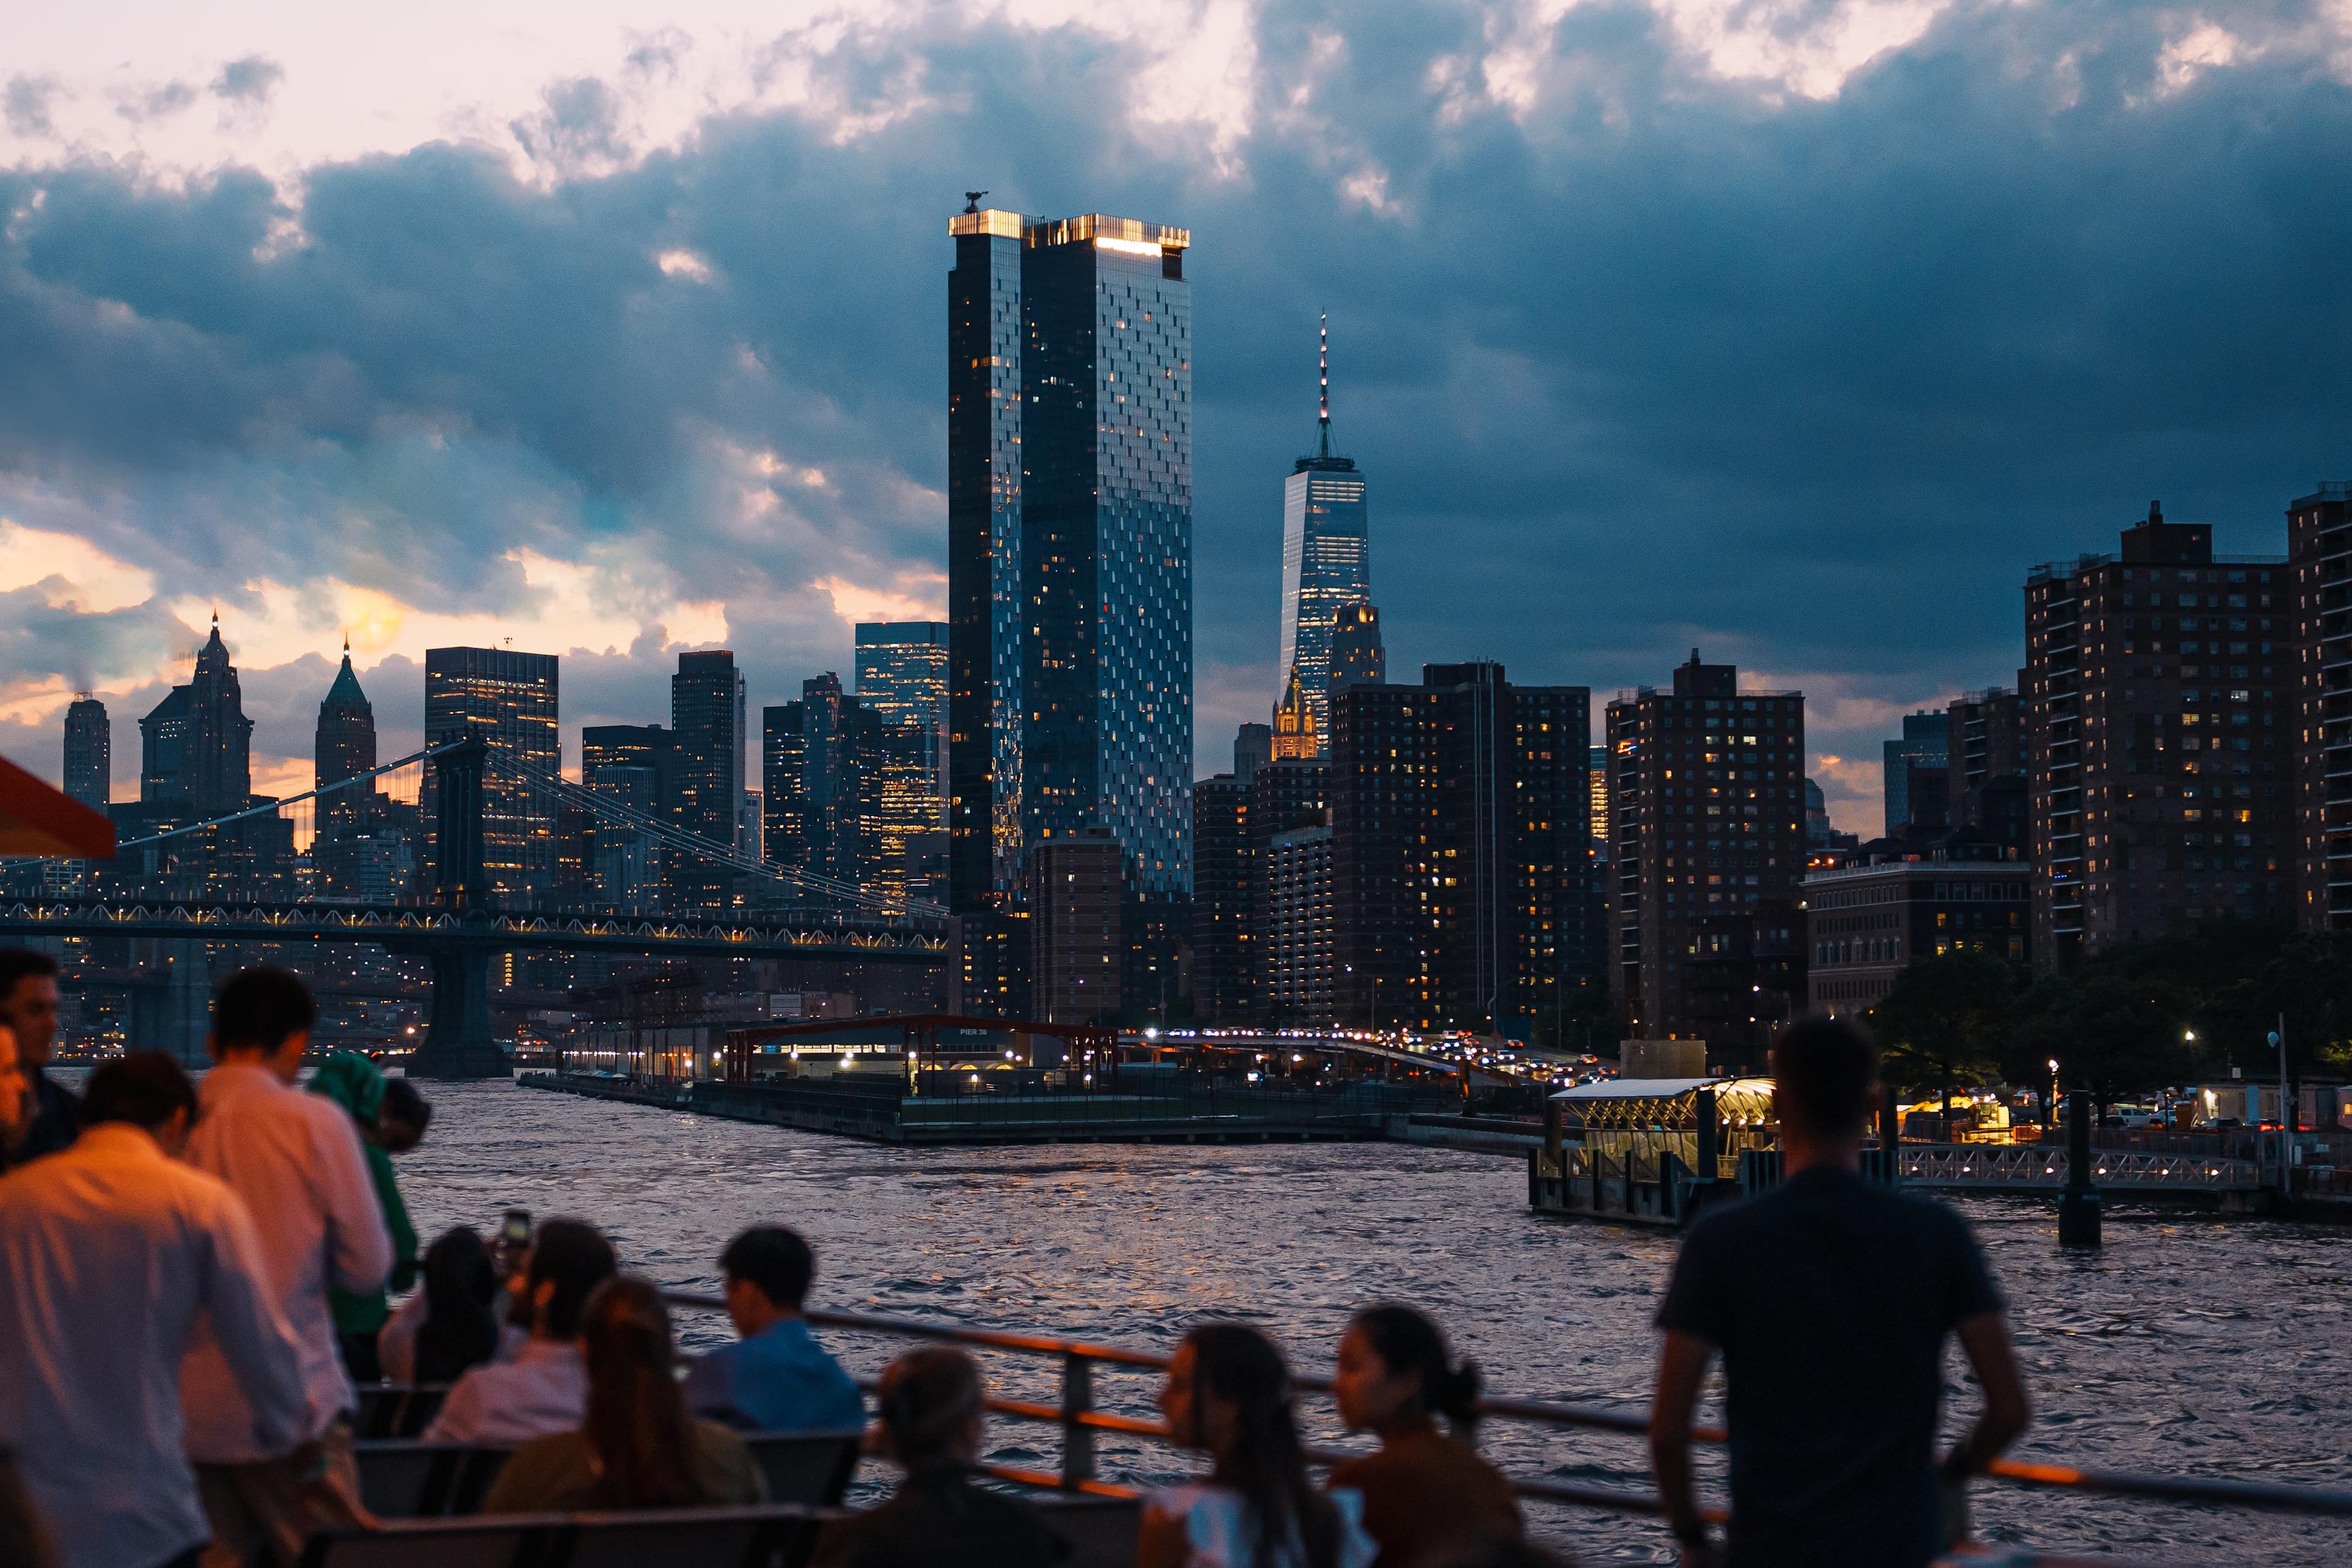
1069 547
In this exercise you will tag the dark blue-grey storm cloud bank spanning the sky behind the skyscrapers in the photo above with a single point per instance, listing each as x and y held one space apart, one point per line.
1641 363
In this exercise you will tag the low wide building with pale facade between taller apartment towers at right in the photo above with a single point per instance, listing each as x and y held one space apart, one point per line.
1871 918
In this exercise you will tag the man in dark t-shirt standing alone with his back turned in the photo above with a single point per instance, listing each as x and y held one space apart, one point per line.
1829 1301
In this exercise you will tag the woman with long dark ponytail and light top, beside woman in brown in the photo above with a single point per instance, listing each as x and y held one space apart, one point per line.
1229 1395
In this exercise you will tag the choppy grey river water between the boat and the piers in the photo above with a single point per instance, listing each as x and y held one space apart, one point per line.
2186 1346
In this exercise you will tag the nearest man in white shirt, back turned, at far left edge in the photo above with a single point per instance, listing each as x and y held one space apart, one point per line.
109 1254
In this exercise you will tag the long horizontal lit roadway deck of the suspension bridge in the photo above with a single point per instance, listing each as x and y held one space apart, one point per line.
408 927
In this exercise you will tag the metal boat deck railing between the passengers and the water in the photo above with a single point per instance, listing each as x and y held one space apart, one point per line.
1081 1421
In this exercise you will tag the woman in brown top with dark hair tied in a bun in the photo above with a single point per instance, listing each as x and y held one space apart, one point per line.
1424 1489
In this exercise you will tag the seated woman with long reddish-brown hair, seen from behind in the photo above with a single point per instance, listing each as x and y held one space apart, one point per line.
636 1449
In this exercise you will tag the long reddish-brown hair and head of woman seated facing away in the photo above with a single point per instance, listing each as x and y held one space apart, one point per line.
636 1419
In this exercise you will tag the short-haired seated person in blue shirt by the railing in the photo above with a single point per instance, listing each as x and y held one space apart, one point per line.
777 1376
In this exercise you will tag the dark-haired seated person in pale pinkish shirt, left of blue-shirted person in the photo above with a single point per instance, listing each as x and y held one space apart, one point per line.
547 1386
